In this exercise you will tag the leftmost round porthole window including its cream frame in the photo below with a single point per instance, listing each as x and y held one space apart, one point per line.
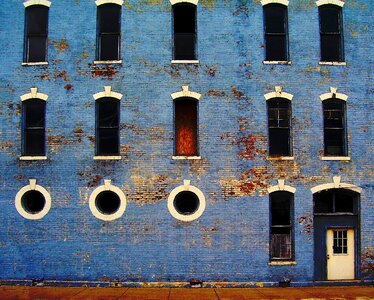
33 201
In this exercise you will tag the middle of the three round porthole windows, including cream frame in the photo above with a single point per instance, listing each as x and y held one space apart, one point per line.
107 202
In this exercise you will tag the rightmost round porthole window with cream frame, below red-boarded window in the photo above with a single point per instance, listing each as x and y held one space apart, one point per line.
186 202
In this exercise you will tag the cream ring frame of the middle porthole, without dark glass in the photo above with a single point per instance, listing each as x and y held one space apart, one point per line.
107 186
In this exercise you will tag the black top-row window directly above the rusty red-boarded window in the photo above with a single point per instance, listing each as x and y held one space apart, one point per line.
184 16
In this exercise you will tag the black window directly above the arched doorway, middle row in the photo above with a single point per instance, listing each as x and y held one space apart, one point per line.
334 122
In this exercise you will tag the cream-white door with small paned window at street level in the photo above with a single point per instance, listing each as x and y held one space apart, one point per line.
340 254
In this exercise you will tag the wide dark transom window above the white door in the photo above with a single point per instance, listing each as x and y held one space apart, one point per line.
335 201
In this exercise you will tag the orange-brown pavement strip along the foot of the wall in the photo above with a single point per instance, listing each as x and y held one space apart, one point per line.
86 293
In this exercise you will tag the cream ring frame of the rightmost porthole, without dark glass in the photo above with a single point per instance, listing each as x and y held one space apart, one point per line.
190 188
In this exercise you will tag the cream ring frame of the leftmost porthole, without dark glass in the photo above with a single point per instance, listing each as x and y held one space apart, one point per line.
32 186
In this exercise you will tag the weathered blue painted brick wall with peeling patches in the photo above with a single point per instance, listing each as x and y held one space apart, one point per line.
230 241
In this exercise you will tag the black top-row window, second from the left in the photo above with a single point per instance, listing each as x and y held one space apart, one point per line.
108 32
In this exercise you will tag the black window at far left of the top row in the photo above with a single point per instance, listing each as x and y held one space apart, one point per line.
36 33
